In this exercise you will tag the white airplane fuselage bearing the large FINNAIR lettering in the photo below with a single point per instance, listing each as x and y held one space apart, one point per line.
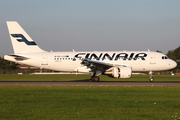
71 61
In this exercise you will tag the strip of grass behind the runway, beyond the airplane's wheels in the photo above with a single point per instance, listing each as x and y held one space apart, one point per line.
84 77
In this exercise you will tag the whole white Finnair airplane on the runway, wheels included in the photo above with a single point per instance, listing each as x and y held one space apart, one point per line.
116 64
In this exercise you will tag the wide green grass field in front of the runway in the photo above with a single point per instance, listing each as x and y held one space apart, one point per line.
98 103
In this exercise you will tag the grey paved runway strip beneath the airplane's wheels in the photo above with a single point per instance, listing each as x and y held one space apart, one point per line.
60 83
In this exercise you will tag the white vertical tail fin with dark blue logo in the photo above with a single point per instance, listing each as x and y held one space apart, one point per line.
21 41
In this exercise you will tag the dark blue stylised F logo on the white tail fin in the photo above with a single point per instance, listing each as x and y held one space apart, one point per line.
23 39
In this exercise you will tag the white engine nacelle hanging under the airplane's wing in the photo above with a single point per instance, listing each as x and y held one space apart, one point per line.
122 72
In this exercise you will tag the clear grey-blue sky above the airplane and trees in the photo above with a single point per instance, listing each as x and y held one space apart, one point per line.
94 25
